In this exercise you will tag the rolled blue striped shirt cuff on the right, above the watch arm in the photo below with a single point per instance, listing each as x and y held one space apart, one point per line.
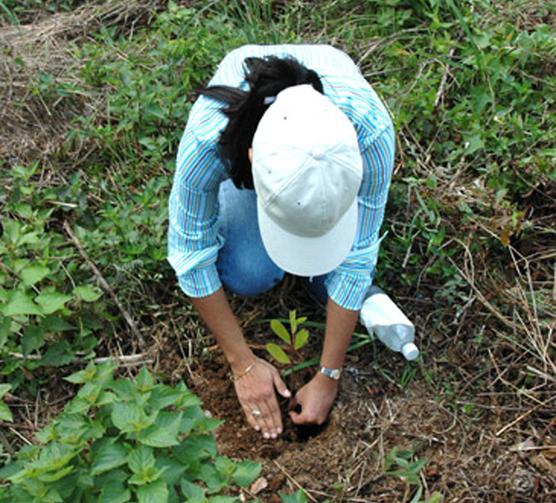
348 290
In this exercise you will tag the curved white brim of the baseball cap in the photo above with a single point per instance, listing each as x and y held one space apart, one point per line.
304 256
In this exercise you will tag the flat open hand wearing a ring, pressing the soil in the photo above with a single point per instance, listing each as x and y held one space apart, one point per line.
255 391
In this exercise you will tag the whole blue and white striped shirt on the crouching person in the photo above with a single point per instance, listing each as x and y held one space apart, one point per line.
193 238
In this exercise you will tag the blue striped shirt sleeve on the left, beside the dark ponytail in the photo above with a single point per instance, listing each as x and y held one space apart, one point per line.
193 240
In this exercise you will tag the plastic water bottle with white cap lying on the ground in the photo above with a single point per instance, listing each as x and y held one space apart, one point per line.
384 318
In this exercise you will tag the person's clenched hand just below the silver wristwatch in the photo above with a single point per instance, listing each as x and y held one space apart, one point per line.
316 399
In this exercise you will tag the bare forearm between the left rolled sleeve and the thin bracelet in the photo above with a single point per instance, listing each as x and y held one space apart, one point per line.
220 319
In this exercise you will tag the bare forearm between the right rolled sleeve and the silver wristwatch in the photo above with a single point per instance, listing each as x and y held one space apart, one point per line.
340 324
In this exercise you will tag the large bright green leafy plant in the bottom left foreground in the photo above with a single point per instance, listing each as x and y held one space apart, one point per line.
125 440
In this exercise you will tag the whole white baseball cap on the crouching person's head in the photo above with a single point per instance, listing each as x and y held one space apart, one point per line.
307 170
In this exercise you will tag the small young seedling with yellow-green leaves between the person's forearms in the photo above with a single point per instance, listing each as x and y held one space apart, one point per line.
293 340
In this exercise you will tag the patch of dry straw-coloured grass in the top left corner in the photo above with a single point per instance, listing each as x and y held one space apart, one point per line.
32 129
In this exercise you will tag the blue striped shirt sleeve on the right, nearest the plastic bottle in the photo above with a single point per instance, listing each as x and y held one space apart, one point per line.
348 284
